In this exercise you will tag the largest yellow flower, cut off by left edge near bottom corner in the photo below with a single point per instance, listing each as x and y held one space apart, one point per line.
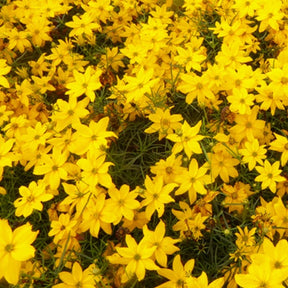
15 247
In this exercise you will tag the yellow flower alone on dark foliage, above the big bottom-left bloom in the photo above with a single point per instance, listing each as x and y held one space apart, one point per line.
32 198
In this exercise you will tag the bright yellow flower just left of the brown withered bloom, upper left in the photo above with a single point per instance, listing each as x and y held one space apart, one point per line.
85 83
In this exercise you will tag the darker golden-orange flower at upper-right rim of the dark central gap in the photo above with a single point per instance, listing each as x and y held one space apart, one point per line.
163 122
